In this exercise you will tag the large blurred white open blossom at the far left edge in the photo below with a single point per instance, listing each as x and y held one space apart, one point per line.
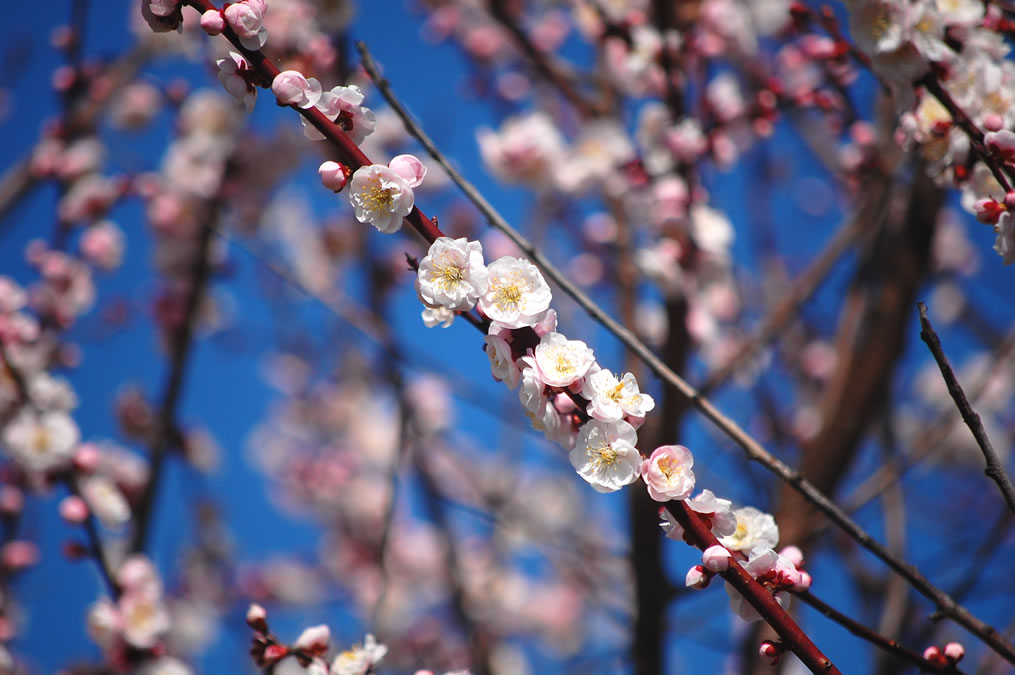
41 442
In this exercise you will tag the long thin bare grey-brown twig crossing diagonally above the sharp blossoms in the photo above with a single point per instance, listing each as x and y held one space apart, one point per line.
755 451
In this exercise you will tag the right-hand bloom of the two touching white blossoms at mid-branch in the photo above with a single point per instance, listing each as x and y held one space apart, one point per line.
517 295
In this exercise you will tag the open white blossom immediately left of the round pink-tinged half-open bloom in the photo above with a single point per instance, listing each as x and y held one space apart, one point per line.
605 455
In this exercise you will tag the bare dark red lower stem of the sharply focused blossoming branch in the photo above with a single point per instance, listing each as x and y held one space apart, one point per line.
700 534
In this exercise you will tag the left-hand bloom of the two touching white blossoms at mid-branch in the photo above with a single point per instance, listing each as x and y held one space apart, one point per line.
453 275
